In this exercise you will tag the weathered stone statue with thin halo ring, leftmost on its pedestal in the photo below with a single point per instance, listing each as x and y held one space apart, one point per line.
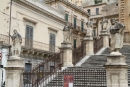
16 43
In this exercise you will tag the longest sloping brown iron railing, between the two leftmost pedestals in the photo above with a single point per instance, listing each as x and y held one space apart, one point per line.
43 71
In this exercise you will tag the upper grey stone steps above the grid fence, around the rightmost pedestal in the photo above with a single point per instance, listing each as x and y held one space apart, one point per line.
100 60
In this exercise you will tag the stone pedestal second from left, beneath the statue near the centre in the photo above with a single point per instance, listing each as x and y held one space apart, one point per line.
66 49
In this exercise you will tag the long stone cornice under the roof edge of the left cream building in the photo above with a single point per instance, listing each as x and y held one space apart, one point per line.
39 10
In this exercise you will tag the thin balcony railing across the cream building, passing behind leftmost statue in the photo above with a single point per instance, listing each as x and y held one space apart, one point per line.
31 44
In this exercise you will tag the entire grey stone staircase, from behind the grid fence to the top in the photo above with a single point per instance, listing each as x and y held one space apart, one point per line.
91 73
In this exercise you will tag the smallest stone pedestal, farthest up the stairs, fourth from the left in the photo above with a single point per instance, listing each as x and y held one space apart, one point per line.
105 36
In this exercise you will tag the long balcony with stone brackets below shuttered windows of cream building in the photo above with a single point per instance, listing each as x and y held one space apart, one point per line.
31 47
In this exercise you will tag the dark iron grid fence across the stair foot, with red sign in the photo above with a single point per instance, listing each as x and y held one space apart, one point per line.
76 77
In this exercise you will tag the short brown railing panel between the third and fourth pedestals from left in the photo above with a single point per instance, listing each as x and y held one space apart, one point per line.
98 44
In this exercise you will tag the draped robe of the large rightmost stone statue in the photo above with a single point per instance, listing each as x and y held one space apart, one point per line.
116 37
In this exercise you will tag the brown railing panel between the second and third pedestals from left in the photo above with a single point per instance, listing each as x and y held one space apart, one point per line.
79 53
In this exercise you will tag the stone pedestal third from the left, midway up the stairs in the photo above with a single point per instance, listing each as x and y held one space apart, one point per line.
89 45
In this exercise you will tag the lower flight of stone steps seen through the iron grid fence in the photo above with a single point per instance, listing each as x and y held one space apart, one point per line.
83 77
